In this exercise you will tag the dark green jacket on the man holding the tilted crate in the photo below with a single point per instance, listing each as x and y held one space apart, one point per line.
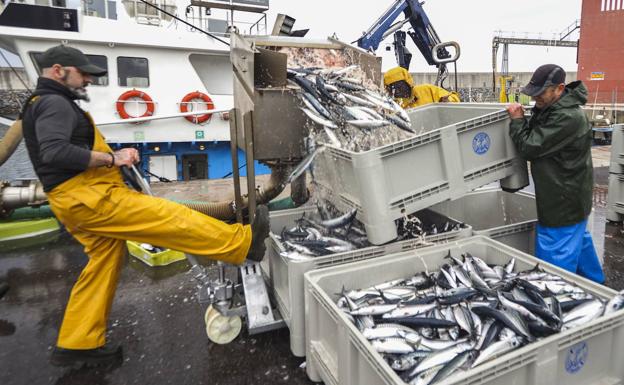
557 142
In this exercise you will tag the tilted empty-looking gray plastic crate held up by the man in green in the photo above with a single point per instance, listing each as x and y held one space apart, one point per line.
461 147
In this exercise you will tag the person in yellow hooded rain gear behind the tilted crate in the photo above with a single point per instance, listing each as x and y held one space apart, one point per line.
400 85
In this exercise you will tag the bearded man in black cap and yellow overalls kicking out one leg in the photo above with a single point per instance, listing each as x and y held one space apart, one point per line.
80 174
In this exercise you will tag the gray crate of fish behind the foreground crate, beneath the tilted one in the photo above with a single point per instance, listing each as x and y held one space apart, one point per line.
302 240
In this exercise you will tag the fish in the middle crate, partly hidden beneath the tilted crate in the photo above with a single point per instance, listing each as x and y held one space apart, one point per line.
323 232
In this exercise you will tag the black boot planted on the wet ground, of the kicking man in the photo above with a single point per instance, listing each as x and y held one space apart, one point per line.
102 356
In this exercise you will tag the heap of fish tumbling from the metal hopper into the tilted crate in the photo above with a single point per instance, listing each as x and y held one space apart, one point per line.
352 111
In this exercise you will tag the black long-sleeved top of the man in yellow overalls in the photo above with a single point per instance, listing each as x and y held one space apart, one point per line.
59 137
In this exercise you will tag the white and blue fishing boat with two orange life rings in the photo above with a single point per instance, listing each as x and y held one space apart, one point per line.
169 84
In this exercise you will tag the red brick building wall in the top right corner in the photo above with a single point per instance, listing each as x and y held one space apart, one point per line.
601 50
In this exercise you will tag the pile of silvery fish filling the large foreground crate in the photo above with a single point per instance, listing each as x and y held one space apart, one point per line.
435 325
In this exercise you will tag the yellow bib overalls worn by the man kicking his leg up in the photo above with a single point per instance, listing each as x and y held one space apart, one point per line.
102 213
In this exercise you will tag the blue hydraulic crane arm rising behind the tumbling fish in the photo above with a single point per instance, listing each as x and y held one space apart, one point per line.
422 33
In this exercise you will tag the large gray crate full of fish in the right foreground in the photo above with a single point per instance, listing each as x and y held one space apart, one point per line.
474 311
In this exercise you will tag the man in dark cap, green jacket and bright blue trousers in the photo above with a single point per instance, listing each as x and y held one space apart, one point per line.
556 139
